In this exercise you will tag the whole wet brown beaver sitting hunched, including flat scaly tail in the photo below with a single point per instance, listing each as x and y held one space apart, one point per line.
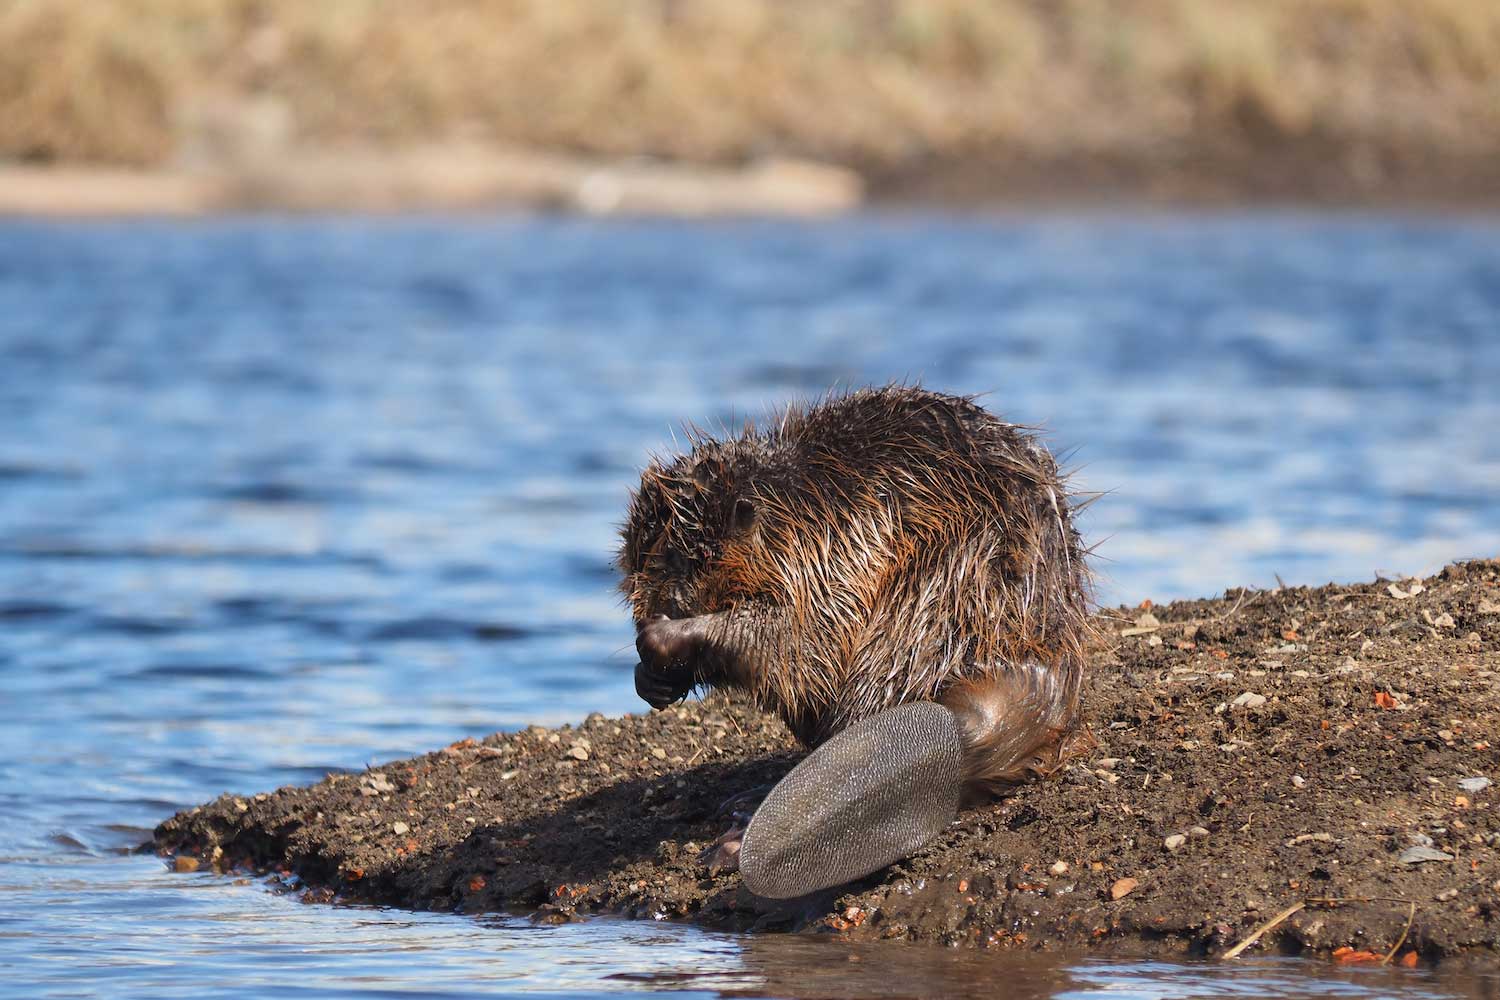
896 573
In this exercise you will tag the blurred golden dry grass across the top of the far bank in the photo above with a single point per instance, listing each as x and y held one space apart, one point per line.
881 85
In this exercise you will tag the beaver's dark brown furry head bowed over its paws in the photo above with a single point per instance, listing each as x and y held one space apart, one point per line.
692 533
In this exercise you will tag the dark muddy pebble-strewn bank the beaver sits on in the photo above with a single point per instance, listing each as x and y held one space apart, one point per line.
1324 747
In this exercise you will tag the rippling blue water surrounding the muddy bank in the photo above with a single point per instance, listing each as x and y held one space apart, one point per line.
286 497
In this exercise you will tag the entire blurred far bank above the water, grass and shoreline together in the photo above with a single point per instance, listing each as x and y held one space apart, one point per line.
742 107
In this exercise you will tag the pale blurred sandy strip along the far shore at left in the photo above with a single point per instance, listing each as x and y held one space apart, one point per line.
434 179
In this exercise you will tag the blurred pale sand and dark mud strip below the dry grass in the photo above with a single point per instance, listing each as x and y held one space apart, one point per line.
463 178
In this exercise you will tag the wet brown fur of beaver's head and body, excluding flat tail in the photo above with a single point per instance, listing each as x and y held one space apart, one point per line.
886 546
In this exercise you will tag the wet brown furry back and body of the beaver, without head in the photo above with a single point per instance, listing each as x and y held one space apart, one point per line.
917 542
